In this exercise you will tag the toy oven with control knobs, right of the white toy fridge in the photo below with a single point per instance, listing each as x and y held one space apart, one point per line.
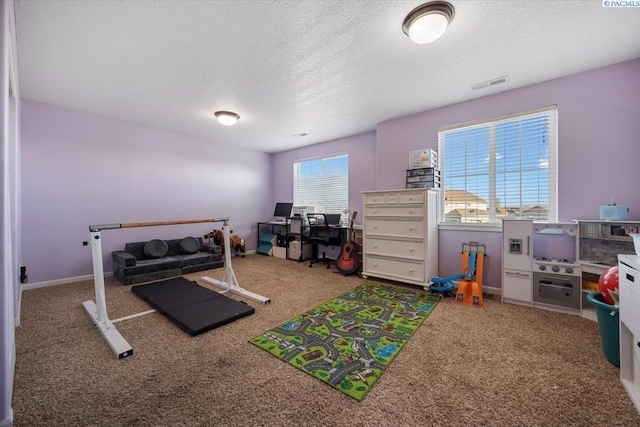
557 282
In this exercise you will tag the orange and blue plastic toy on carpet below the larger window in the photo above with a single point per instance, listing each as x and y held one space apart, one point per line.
470 288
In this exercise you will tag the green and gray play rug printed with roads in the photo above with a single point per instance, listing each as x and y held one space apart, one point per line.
349 341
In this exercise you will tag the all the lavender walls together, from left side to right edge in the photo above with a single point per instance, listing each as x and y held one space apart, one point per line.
75 172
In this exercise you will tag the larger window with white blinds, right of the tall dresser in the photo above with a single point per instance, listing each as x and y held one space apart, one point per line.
506 167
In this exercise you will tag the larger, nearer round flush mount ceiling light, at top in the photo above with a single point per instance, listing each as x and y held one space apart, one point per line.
426 23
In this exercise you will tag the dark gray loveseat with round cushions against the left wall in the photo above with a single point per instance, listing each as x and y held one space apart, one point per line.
159 259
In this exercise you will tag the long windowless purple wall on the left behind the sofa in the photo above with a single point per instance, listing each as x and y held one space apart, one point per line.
80 169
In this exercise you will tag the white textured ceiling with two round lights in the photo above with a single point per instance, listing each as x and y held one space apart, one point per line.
327 68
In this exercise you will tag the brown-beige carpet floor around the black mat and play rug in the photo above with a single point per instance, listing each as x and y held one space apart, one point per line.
496 365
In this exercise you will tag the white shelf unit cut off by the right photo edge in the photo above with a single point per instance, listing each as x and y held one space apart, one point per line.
629 288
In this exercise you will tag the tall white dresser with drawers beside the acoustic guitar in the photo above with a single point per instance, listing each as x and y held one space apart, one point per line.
400 235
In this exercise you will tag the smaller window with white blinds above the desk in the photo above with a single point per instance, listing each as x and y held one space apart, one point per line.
322 183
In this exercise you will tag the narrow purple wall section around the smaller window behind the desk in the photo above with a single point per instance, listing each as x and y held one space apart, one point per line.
362 174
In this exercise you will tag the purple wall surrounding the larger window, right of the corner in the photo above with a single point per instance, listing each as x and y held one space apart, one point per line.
598 148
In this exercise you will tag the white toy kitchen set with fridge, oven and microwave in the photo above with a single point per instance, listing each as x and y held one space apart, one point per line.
555 265
